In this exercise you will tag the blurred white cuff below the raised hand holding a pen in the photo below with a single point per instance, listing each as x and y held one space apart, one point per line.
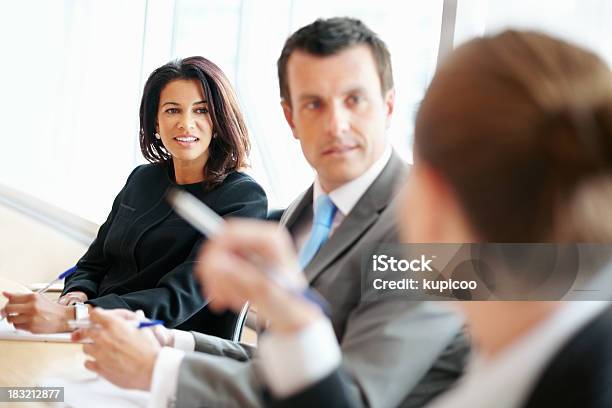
292 362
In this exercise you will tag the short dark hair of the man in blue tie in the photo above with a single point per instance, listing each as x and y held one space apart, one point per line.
327 37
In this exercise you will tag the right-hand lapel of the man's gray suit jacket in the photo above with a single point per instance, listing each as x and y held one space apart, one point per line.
361 218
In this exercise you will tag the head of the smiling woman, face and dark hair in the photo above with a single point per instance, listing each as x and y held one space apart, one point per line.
186 96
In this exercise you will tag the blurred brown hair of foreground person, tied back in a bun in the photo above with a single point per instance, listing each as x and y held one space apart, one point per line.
519 124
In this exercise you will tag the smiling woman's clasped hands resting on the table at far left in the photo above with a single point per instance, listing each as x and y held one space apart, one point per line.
36 313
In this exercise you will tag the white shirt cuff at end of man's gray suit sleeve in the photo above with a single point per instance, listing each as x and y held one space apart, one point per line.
165 377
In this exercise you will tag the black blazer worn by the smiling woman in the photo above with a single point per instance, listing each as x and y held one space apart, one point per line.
143 255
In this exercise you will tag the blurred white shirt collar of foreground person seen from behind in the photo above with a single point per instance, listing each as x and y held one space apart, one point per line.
505 380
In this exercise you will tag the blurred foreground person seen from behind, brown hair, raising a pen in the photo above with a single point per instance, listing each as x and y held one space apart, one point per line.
513 144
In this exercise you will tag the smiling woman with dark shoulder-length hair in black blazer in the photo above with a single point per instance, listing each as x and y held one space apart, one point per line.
193 133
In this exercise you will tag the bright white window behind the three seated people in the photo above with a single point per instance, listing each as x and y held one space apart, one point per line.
73 72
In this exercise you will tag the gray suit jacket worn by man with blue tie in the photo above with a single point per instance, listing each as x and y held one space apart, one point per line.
394 352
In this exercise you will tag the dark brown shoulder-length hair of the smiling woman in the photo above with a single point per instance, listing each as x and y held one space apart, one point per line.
227 151
